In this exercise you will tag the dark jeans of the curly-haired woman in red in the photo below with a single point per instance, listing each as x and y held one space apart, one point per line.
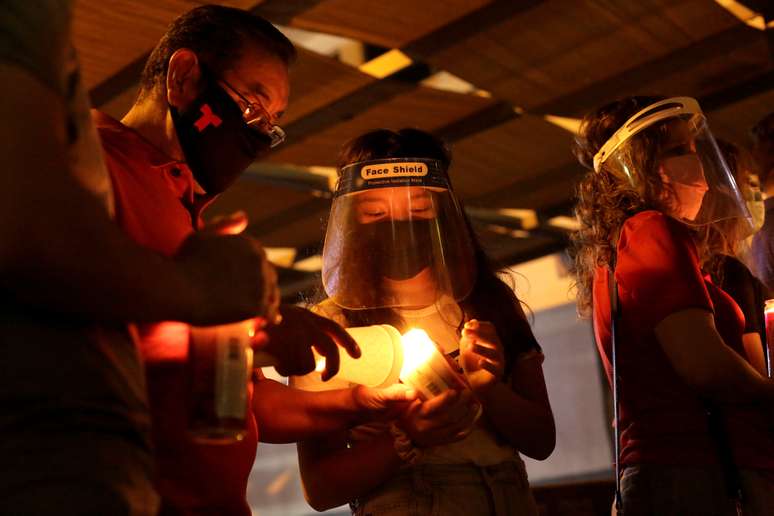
657 490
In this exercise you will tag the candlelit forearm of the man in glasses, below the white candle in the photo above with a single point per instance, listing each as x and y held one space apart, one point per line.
287 415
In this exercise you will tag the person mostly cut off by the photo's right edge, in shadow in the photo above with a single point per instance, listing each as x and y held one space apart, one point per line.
763 242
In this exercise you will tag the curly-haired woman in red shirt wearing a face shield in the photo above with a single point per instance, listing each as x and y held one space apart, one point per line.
695 421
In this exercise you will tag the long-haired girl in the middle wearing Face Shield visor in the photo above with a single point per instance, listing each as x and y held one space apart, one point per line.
399 250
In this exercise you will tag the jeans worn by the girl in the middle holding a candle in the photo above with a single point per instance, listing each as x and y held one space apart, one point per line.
452 490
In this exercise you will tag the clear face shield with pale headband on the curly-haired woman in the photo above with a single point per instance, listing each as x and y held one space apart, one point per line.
671 139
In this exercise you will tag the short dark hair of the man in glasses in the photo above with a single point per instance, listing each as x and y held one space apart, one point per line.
218 35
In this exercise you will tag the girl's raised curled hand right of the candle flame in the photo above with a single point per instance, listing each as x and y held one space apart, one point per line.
481 355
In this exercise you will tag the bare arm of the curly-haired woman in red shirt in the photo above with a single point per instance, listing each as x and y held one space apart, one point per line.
700 357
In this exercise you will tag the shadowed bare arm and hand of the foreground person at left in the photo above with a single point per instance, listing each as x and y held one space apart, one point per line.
59 251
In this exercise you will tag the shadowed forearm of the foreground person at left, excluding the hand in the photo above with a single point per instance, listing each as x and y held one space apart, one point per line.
89 269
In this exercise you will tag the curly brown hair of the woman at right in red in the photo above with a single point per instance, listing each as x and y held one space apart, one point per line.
604 199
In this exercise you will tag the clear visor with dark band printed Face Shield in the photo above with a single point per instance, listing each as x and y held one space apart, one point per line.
396 237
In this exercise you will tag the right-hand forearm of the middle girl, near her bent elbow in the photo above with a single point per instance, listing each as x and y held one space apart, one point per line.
527 425
